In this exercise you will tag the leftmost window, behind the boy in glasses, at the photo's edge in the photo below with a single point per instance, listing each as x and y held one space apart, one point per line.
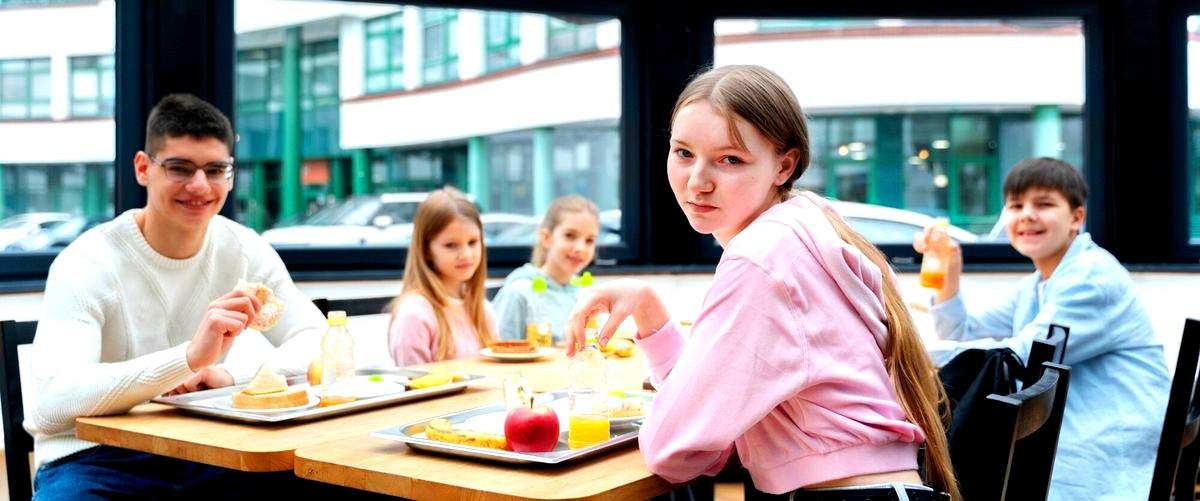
57 174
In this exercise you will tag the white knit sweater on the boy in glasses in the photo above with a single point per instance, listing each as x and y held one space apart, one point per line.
119 317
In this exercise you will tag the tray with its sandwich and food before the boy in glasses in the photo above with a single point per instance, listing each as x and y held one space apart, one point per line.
272 399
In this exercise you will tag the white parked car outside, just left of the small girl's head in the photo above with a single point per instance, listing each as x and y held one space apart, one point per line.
369 220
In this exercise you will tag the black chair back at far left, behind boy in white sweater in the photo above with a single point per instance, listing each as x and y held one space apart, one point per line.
17 443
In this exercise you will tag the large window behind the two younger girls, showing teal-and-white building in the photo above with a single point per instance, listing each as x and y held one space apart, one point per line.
373 140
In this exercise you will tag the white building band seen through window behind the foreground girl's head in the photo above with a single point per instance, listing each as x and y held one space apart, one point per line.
922 71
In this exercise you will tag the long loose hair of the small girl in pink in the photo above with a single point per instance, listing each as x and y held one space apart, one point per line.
441 209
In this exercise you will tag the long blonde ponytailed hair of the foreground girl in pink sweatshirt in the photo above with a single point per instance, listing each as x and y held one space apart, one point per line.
764 100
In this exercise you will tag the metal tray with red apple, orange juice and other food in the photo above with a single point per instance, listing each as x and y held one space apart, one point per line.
543 433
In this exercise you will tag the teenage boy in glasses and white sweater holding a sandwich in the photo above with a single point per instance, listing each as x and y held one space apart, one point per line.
146 305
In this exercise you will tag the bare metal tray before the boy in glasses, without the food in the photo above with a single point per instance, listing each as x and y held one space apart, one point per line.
206 402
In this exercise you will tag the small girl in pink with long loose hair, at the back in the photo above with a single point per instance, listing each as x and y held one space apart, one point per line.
442 312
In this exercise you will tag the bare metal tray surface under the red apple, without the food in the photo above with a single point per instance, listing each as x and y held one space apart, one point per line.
413 434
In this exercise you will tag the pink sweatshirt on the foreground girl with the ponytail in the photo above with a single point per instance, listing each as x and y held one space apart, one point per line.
785 365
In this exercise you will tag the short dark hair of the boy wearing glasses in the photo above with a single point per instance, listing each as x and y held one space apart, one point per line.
183 114
